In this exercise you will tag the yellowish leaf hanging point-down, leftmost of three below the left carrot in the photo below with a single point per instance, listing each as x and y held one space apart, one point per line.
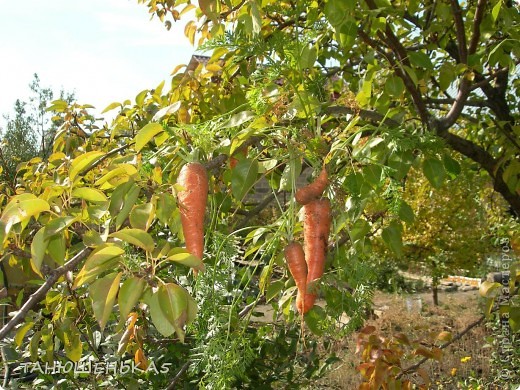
103 295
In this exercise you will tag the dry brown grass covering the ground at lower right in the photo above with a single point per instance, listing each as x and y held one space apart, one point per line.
464 359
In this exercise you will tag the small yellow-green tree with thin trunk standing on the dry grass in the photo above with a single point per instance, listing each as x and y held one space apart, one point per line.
453 229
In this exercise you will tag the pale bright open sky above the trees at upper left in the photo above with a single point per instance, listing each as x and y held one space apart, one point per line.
104 50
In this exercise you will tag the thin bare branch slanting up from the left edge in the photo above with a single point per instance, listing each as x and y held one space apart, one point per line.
39 294
